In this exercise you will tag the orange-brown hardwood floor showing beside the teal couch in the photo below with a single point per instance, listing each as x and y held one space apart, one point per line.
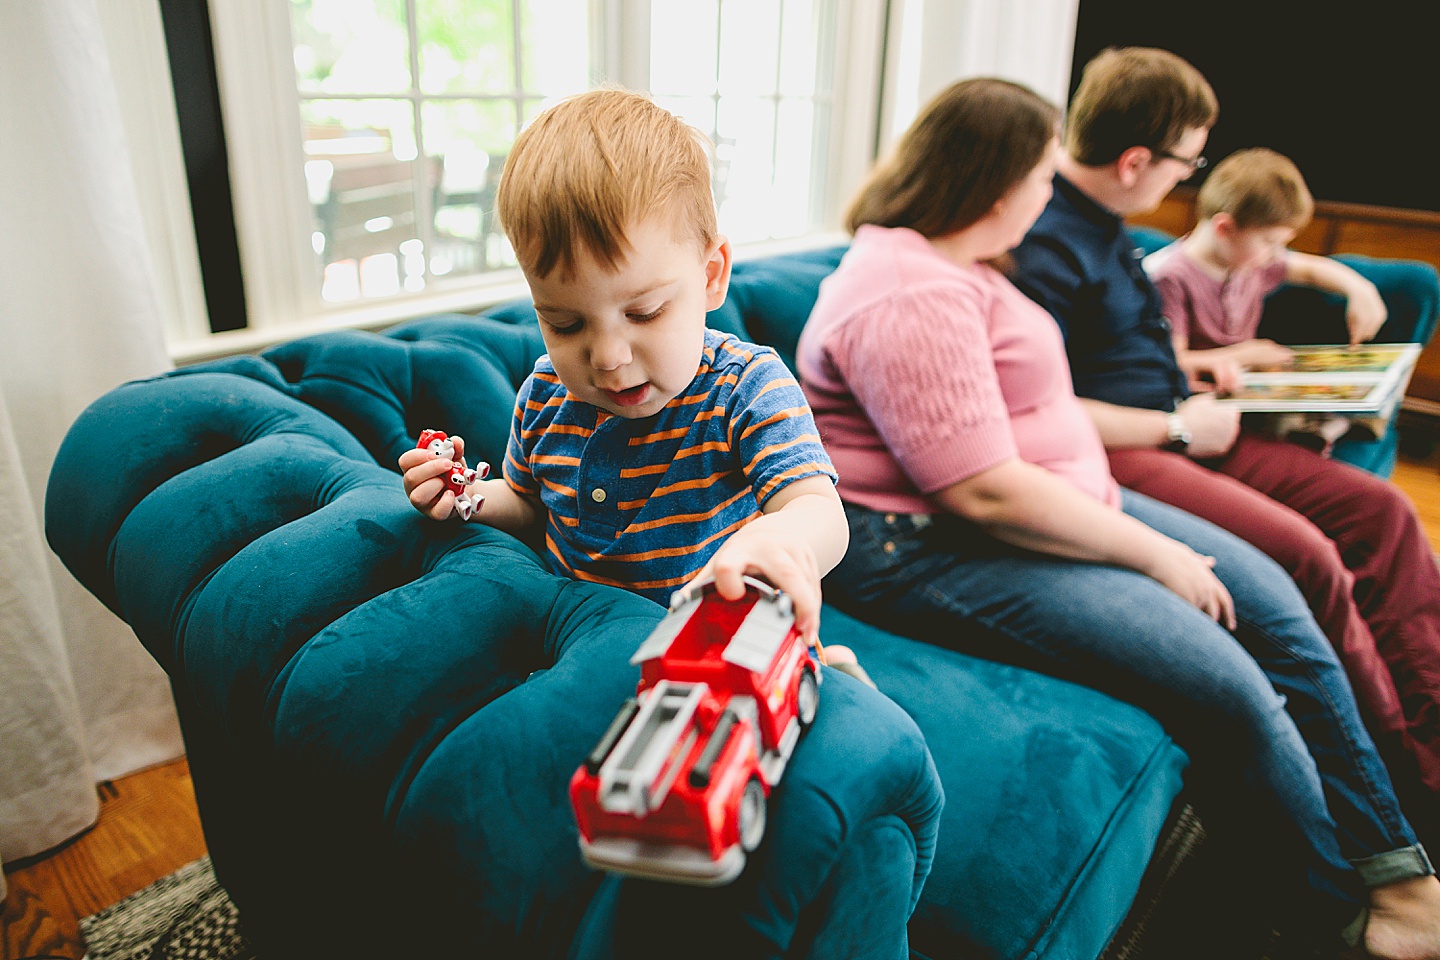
149 825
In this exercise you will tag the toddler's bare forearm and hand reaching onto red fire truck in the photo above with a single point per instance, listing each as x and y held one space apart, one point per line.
798 539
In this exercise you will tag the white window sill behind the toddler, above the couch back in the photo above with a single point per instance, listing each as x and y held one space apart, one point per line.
474 300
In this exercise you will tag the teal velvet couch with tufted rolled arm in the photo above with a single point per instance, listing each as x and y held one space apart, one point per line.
382 713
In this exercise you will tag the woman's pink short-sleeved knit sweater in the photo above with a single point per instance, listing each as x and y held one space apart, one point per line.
924 373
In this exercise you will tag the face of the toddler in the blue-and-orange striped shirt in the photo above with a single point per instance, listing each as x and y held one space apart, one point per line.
630 340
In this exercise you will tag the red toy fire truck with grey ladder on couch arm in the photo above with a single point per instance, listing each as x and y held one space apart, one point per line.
679 785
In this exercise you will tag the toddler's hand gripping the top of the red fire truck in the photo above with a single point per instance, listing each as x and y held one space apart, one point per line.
780 561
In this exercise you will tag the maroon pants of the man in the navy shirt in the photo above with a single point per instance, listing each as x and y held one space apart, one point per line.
1354 546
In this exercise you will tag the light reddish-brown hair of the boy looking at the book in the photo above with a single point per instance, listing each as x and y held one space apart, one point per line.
1259 189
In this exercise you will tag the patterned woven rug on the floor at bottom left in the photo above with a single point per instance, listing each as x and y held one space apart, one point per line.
185 916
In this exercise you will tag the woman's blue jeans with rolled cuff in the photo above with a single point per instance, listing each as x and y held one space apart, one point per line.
1271 699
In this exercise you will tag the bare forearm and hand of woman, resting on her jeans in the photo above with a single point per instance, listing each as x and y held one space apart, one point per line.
1030 507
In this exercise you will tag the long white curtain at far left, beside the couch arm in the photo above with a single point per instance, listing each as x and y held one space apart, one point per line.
80 699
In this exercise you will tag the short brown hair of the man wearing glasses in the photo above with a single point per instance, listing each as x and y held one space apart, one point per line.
1135 97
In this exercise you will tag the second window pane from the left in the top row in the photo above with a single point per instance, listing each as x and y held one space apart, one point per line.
467 47
